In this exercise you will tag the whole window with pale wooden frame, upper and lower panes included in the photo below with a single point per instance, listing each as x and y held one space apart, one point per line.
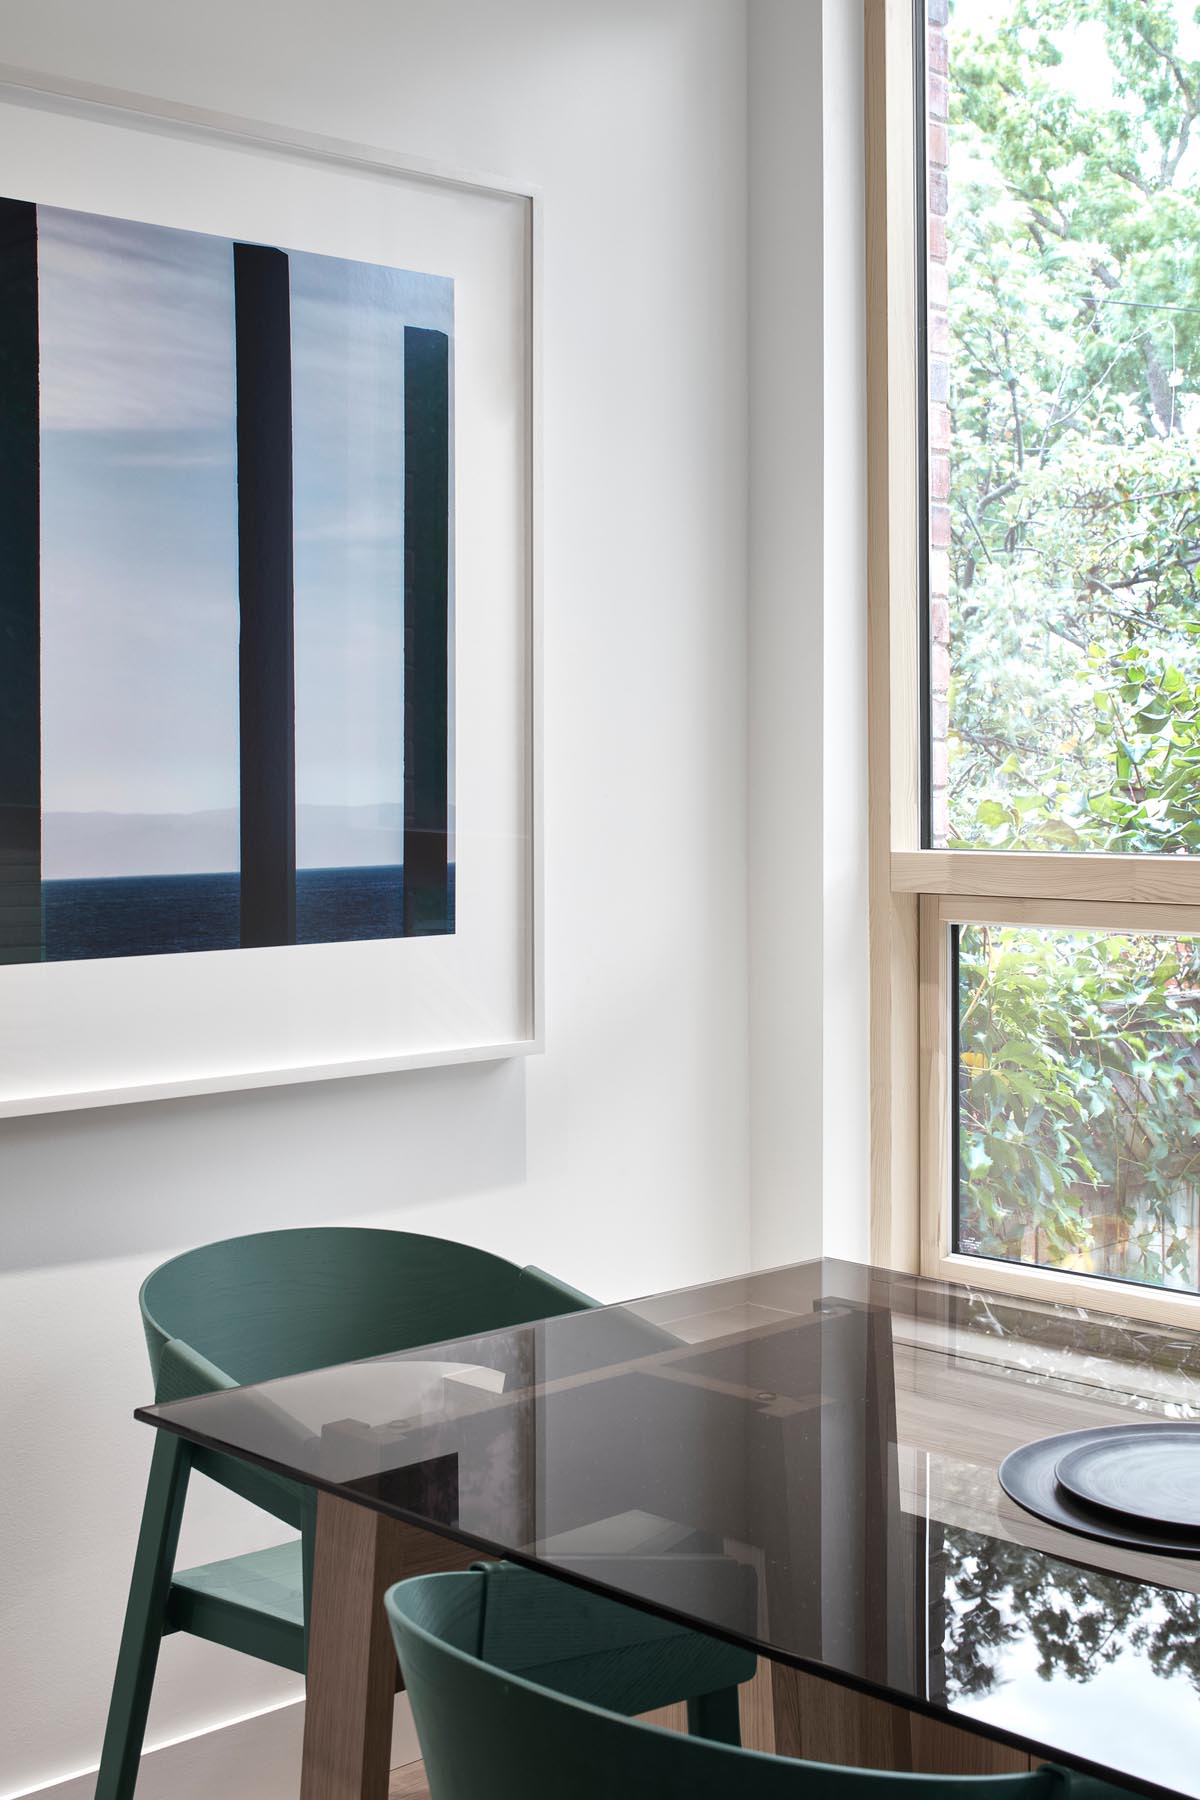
1035 643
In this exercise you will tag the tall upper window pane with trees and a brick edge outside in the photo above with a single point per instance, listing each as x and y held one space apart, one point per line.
1064 424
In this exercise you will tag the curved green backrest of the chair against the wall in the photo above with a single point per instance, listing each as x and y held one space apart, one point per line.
283 1302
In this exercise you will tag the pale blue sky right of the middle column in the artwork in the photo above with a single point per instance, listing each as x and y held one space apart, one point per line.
348 399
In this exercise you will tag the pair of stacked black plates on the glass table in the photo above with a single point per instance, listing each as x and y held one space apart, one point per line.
1134 1486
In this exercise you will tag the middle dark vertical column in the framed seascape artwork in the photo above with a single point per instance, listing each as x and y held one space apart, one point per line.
265 584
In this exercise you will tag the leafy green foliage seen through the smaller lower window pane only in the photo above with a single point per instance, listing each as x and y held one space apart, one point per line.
1079 1088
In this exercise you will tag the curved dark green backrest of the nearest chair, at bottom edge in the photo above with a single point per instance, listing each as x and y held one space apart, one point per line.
488 1729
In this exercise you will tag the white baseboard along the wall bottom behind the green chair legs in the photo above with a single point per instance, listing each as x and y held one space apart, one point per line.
251 1759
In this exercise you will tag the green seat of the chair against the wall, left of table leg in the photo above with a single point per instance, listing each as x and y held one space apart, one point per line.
253 1605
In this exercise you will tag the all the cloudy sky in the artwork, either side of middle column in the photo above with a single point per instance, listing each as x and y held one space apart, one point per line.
139 548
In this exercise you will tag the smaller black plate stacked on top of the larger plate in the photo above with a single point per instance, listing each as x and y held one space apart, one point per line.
1147 1473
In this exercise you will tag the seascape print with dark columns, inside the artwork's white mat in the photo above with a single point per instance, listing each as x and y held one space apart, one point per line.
226 521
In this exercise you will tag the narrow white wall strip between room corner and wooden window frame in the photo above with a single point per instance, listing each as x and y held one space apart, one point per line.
807 633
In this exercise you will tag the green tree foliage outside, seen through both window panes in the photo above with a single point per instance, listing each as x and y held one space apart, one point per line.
1075 604
